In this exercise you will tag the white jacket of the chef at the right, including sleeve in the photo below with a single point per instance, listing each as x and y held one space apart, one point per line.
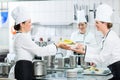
109 54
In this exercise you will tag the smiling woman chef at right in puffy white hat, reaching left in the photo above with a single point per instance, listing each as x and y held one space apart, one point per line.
109 53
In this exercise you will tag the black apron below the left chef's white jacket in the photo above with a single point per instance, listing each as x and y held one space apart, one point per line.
23 70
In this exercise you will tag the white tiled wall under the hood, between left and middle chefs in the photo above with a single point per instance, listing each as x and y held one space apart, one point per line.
55 32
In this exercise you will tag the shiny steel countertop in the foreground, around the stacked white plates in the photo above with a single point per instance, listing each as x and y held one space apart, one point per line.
62 76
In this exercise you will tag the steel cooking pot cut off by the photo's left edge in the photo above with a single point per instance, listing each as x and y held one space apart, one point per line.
4 68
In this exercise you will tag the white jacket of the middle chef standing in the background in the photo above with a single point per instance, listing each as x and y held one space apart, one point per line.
88 38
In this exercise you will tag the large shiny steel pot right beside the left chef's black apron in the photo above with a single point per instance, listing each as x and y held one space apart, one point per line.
39 68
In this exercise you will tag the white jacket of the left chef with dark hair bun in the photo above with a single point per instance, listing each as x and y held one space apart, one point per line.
25 48
